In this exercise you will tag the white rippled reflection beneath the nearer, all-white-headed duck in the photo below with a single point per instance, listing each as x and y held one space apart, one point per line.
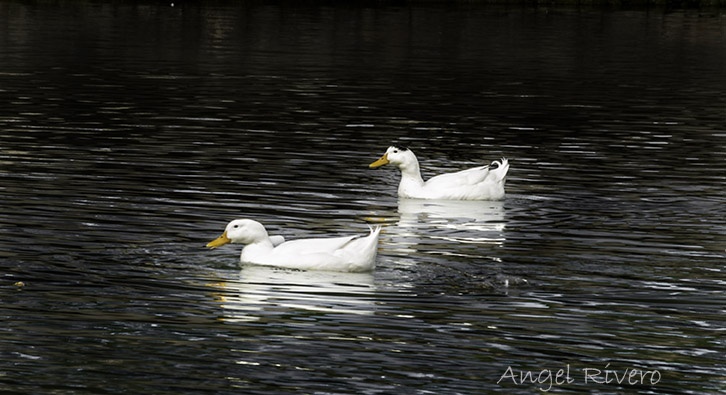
262 289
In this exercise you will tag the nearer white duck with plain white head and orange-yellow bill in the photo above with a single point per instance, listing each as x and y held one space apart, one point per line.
339 254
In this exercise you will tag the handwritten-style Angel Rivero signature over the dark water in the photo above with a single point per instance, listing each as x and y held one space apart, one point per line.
546 379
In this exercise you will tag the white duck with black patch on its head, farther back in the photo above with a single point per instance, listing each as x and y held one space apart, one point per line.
478 183
